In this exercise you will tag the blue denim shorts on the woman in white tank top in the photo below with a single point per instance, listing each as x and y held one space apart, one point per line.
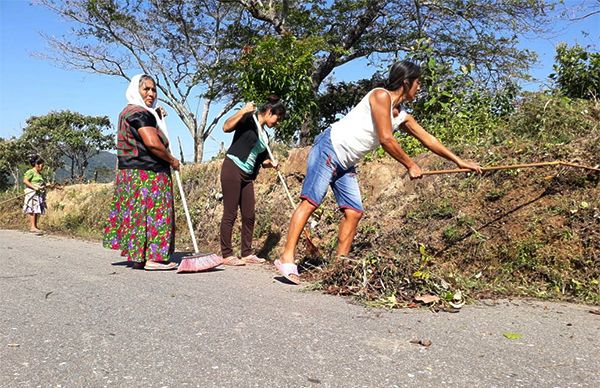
324 170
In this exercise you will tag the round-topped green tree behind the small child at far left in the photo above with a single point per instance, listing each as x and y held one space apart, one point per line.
68 134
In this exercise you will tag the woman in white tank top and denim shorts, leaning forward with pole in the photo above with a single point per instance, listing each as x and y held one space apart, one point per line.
337 150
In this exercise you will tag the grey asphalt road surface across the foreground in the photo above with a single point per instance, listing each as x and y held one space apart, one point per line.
72 314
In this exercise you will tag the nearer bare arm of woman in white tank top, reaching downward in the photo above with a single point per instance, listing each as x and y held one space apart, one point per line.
380 111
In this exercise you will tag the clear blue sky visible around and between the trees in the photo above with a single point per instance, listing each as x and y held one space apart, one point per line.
31 86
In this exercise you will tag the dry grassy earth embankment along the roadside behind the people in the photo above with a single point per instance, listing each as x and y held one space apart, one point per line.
530 232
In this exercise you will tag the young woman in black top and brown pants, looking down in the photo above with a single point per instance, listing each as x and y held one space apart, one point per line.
241 165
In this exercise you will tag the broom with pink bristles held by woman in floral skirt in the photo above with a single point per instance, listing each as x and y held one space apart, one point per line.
196 262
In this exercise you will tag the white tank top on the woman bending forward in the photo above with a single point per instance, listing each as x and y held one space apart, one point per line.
354 135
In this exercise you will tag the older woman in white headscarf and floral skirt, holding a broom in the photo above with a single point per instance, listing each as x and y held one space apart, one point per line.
141 221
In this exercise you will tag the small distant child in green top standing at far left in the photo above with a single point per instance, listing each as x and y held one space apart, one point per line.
35 193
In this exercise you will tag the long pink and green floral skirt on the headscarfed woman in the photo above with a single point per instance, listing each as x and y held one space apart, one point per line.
141 222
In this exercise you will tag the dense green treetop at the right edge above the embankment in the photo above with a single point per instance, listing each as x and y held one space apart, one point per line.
577 72
